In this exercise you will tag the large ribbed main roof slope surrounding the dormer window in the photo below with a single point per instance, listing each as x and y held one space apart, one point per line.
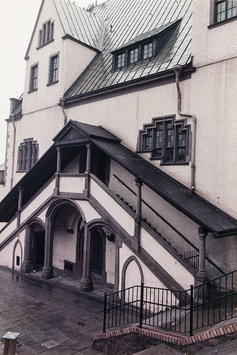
127 21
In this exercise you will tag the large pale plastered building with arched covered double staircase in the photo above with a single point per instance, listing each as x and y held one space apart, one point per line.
121 153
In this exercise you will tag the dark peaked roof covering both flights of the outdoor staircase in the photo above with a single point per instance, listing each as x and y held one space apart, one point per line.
183 199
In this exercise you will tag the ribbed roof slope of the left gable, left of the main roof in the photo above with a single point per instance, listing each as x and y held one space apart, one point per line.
80 24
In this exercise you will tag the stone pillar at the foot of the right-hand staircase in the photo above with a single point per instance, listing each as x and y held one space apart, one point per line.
201 276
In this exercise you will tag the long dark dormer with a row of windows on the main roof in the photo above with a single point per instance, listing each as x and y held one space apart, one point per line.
144 47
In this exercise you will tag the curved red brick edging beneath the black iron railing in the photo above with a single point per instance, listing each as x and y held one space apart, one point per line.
167 336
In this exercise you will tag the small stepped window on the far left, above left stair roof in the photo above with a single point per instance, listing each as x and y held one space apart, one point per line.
27 155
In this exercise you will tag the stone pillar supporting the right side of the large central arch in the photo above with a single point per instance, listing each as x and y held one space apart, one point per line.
86 281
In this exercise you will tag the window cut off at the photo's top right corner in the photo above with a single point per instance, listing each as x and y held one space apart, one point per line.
225 10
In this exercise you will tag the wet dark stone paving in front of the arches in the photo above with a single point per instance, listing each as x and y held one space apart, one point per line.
49 318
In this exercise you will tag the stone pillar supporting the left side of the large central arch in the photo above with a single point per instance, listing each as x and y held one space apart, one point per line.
48 252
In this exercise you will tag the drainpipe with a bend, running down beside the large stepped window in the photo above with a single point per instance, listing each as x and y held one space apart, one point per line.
177 69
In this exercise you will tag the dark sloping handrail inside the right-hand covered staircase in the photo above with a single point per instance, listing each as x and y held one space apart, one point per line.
190 256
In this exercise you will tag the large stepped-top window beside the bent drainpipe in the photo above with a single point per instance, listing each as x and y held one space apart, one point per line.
166 140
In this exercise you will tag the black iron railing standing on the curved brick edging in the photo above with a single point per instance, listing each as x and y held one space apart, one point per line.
179 311
